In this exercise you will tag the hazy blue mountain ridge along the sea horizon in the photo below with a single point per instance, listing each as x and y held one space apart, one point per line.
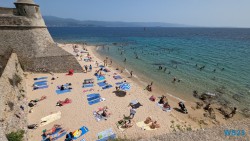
52 21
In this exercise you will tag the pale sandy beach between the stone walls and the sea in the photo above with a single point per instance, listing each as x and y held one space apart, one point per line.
79 113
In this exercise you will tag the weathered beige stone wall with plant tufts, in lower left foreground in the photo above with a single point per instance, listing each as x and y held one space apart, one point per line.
12 96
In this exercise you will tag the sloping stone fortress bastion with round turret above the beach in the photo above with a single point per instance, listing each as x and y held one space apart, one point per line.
23 30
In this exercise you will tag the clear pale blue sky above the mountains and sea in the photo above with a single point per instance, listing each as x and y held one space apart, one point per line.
208 13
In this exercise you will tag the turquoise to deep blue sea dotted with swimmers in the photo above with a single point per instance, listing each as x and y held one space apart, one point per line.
227 51
